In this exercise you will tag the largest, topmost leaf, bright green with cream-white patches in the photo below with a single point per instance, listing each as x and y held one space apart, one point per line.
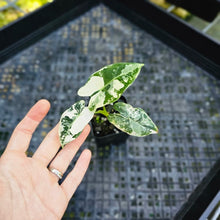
107 85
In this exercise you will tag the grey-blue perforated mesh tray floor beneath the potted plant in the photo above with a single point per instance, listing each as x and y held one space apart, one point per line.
145 178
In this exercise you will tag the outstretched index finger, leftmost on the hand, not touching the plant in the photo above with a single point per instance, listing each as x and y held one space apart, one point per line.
22 134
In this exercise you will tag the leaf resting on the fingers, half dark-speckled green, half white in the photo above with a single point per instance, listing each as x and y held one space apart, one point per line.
73 121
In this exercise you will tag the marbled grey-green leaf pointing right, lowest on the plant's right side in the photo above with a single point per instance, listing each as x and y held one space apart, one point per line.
133 121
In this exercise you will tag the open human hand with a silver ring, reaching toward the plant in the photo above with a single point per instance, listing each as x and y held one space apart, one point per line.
28 190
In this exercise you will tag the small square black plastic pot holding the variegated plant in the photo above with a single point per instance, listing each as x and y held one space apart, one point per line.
117 137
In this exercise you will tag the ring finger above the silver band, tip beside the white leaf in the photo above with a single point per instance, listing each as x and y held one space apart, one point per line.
65 156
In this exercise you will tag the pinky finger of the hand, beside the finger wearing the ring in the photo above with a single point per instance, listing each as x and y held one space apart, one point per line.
75 177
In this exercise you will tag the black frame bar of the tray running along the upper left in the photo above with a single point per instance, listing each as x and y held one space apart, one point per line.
38 24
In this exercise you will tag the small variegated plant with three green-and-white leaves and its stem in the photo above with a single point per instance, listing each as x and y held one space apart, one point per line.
105 87
